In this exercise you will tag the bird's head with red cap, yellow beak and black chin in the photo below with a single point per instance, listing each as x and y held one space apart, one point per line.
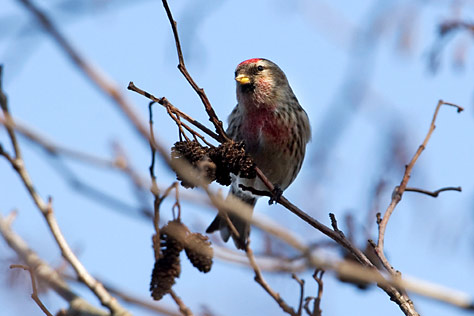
260 82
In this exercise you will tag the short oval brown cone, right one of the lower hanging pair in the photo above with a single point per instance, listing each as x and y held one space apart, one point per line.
199 251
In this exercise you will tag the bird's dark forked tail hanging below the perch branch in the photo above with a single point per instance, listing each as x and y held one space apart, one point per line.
242 226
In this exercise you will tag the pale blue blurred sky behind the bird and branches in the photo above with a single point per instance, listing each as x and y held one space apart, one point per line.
369 74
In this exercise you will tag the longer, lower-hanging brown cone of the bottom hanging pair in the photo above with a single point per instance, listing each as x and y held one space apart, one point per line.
167 268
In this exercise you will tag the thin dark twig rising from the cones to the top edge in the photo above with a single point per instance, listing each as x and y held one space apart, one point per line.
182 67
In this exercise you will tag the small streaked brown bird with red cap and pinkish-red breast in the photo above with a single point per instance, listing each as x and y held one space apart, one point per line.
275 130
